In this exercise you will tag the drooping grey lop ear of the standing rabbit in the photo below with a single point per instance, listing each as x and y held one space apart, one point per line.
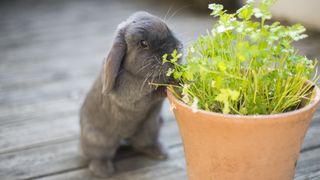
112 62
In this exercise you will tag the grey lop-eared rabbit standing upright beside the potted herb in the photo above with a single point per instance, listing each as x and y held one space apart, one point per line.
121 105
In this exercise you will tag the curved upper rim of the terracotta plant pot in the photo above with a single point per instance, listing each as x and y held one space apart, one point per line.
314 102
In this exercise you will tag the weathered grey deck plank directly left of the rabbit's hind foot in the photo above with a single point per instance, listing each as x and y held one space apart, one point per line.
38 161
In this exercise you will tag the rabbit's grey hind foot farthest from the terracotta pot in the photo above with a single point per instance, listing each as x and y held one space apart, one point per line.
101 168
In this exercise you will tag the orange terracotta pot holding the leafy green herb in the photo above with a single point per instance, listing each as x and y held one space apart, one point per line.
228 147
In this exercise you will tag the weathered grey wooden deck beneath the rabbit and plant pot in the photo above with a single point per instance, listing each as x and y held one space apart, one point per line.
50 53
